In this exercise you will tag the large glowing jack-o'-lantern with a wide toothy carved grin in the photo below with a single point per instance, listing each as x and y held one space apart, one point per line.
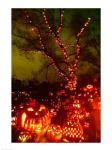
35 119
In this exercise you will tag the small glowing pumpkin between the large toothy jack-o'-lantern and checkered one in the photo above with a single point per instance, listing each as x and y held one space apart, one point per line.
54 133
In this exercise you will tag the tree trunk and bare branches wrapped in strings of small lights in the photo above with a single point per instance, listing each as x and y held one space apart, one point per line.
71 78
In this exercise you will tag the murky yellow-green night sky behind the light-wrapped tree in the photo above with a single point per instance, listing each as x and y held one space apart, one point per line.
28 63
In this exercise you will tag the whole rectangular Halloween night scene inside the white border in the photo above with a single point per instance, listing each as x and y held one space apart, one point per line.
55 79
